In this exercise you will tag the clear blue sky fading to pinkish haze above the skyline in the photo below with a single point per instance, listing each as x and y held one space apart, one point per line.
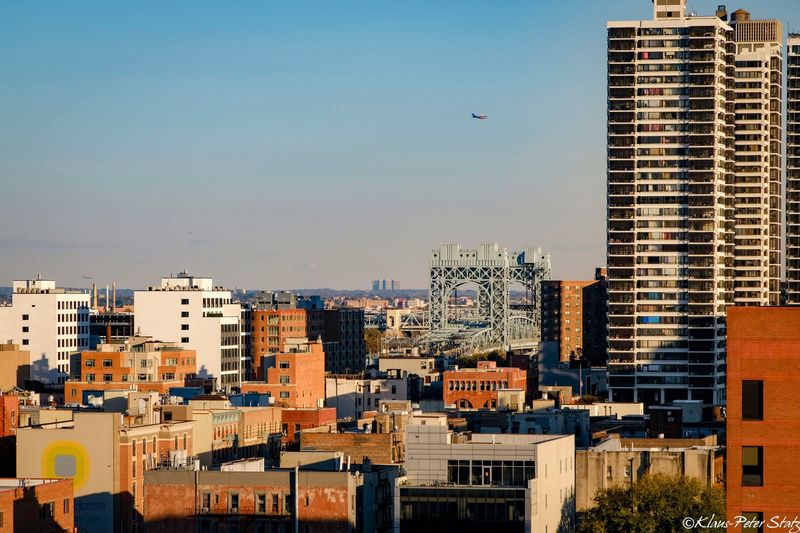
303 144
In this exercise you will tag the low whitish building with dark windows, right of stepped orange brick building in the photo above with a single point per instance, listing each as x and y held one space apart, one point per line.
351 396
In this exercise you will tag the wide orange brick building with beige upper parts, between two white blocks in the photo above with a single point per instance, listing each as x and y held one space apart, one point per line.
138 363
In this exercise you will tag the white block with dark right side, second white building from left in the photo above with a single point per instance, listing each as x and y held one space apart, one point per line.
201 317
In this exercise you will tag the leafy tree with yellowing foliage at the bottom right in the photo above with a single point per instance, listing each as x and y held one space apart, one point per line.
655 504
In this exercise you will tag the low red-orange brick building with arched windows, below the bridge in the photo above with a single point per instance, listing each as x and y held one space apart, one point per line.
476 388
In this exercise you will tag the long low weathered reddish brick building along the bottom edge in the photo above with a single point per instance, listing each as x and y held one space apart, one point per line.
186 502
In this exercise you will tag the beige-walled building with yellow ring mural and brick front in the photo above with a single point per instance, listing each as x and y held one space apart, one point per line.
105 459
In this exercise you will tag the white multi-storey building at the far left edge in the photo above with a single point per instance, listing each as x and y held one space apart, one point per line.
52 323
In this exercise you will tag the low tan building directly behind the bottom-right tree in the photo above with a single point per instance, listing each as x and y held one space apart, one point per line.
619 462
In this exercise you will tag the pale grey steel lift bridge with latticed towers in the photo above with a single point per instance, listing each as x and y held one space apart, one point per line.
494 322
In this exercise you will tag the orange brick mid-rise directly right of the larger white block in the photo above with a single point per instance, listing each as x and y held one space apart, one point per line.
270 328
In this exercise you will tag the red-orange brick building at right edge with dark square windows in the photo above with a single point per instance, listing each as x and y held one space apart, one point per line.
763 413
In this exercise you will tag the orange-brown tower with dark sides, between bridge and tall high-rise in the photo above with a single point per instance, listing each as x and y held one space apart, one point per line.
573 314
